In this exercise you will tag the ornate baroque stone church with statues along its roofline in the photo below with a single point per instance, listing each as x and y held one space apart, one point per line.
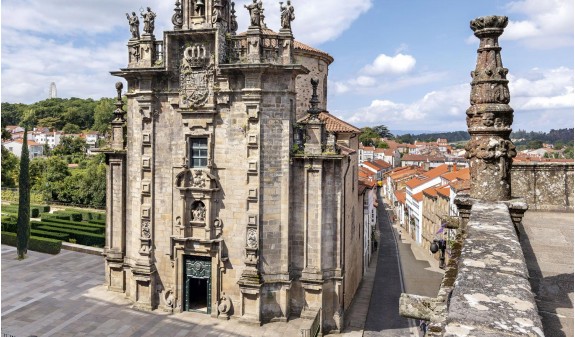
231 191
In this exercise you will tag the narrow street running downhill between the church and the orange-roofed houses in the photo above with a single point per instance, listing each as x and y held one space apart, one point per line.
397 271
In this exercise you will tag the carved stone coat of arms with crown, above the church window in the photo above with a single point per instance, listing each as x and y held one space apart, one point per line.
195 75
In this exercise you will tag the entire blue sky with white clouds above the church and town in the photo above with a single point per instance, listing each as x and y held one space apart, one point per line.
401 63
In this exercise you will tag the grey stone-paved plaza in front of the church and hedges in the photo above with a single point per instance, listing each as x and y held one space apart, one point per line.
63 295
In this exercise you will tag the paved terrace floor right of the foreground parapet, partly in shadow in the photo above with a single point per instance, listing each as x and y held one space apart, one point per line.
547 242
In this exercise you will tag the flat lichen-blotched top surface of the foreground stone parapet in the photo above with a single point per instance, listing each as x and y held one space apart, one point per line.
492 292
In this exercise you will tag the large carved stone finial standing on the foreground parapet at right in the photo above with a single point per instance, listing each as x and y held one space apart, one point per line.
489 118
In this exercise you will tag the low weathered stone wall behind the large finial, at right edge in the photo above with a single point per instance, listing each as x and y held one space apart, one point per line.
544 186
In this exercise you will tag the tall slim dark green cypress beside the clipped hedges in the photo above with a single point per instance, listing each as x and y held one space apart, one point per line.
23 225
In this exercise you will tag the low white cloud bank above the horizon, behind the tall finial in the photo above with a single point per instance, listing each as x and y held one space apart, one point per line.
540 99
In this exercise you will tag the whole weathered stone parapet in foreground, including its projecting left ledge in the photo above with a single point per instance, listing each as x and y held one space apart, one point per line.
485 290
